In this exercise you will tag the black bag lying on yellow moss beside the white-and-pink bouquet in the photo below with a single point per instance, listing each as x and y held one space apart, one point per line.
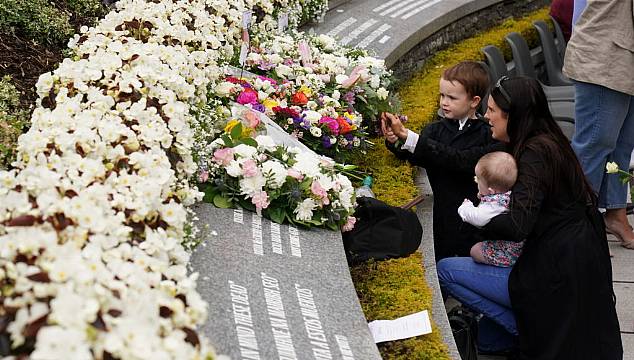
381 232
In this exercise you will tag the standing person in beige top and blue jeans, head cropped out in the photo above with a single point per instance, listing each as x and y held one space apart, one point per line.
600 60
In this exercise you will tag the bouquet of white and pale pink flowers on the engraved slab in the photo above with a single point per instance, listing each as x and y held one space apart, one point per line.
282 184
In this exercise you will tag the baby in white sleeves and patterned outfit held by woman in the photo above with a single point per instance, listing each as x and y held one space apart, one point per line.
496 173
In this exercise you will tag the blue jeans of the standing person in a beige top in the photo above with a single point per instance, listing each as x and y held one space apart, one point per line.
604 131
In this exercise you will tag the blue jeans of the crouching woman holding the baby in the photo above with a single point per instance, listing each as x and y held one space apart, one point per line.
484 289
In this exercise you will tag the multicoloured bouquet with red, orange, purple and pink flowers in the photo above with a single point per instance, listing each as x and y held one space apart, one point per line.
315 119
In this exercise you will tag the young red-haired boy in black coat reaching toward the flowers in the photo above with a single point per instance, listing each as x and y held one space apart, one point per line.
440 149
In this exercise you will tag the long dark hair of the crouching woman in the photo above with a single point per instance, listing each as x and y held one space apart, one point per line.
532 126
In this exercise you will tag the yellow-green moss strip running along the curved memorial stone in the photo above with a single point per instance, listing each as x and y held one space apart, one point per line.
397 288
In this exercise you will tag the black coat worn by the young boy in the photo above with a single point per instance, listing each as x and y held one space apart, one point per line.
449 155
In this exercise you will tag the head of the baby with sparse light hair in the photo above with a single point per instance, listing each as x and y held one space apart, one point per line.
498 169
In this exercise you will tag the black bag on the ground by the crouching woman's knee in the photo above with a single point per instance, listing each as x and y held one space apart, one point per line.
464 326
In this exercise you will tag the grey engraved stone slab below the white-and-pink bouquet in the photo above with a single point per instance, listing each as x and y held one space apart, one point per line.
277 291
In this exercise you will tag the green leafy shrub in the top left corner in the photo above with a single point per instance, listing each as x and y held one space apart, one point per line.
48 24
